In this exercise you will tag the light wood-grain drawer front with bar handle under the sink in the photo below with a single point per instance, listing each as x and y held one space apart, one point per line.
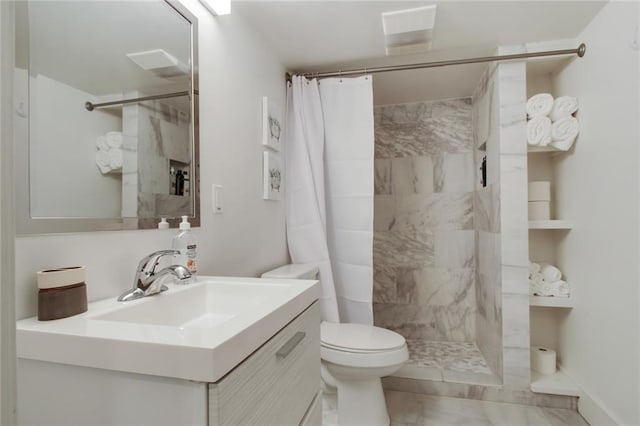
276 384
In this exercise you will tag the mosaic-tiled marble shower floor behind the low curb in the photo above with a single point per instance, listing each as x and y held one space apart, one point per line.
456 356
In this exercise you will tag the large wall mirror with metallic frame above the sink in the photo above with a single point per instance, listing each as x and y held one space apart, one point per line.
106 115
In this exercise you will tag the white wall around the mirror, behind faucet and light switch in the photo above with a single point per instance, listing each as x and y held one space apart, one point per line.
236 70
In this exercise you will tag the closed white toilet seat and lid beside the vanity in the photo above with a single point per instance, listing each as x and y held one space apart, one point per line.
358 345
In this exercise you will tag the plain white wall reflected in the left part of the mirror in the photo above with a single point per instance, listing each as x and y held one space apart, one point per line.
64 179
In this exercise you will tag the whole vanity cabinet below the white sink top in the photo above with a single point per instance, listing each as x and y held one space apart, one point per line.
279 383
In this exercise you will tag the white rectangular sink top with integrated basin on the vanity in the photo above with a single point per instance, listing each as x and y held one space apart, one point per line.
195 332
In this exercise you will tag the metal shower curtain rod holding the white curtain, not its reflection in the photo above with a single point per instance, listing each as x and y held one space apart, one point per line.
580 50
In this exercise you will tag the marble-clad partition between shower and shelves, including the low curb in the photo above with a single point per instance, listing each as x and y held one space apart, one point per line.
500 219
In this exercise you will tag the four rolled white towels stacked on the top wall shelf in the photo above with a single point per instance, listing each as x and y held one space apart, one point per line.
552 121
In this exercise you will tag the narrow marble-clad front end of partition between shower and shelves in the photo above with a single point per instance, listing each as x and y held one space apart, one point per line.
514 223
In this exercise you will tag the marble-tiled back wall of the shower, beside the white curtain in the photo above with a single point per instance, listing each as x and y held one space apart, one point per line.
424 239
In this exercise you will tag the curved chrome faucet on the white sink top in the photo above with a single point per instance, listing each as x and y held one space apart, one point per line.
146 281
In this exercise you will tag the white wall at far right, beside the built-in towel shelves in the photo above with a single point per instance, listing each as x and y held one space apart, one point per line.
597 188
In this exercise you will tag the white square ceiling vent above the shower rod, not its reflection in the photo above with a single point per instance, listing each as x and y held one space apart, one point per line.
409 31
